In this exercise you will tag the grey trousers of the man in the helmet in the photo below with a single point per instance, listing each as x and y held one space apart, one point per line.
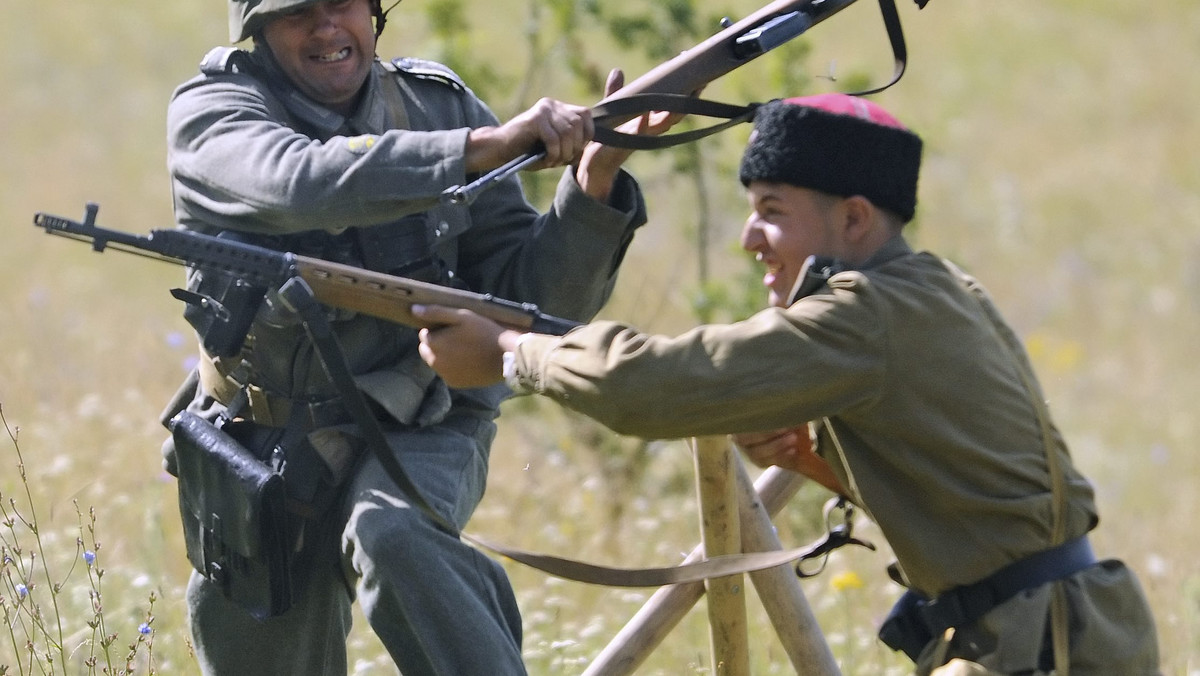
439 606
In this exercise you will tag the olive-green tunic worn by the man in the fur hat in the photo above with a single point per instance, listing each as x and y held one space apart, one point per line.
909 366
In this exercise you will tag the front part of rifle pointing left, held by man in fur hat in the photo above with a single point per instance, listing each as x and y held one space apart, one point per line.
254 271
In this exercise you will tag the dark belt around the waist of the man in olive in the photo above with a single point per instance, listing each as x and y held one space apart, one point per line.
963 606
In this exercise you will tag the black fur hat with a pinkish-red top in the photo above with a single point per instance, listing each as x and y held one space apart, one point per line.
838 145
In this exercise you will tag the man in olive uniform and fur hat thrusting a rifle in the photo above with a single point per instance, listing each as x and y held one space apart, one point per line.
897 369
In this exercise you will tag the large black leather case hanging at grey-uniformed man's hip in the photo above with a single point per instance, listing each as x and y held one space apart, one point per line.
247 499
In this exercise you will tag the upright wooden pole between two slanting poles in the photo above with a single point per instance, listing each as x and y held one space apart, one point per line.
717 484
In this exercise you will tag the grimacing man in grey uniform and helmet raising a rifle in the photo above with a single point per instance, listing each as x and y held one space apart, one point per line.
309 143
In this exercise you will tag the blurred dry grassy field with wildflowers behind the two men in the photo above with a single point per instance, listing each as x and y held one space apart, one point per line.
1061 170
